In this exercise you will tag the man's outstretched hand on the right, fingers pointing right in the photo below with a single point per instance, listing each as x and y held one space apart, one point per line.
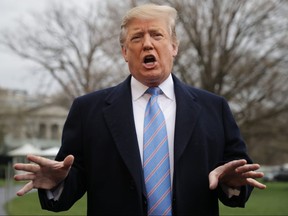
235 174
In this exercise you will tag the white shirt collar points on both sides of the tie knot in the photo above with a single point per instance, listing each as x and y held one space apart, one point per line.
138 89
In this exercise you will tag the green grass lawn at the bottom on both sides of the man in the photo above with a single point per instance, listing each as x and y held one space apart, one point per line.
272 201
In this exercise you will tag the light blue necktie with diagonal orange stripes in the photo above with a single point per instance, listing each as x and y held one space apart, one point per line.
156 158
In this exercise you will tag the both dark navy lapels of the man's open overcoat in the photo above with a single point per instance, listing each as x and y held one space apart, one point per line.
119 116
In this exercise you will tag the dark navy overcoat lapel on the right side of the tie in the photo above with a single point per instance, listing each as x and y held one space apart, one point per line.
187 113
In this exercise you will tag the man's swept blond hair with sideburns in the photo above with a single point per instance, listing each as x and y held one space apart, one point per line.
148 12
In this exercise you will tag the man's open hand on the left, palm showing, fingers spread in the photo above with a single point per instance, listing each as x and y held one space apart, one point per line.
42 173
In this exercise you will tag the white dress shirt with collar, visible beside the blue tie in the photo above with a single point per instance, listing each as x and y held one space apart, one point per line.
167 104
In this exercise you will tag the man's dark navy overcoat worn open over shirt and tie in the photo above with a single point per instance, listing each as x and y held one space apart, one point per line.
100 133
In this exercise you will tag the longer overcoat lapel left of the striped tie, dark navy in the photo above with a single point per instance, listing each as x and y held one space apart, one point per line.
119 117
